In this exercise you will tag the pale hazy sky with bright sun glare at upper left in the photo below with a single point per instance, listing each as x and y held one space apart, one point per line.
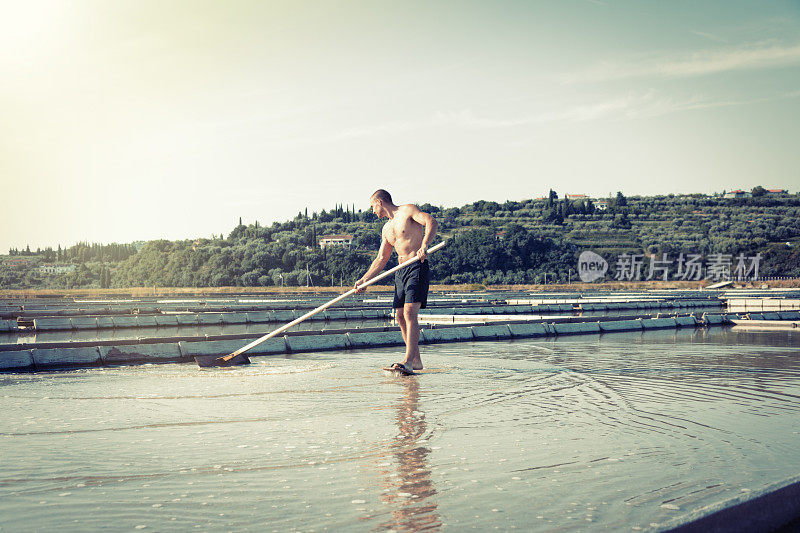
138 120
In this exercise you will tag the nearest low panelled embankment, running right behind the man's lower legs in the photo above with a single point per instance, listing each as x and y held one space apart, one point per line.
43 356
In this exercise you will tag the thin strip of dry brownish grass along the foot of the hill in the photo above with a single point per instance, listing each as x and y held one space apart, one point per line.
469 288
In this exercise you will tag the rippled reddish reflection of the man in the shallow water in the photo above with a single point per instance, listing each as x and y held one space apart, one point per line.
410 491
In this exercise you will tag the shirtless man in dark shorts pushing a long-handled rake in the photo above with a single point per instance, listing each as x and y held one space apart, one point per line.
409 231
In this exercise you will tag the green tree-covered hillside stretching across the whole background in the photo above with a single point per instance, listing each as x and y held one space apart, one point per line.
510 242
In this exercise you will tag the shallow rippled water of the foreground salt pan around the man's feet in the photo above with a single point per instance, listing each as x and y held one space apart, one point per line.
609 432
